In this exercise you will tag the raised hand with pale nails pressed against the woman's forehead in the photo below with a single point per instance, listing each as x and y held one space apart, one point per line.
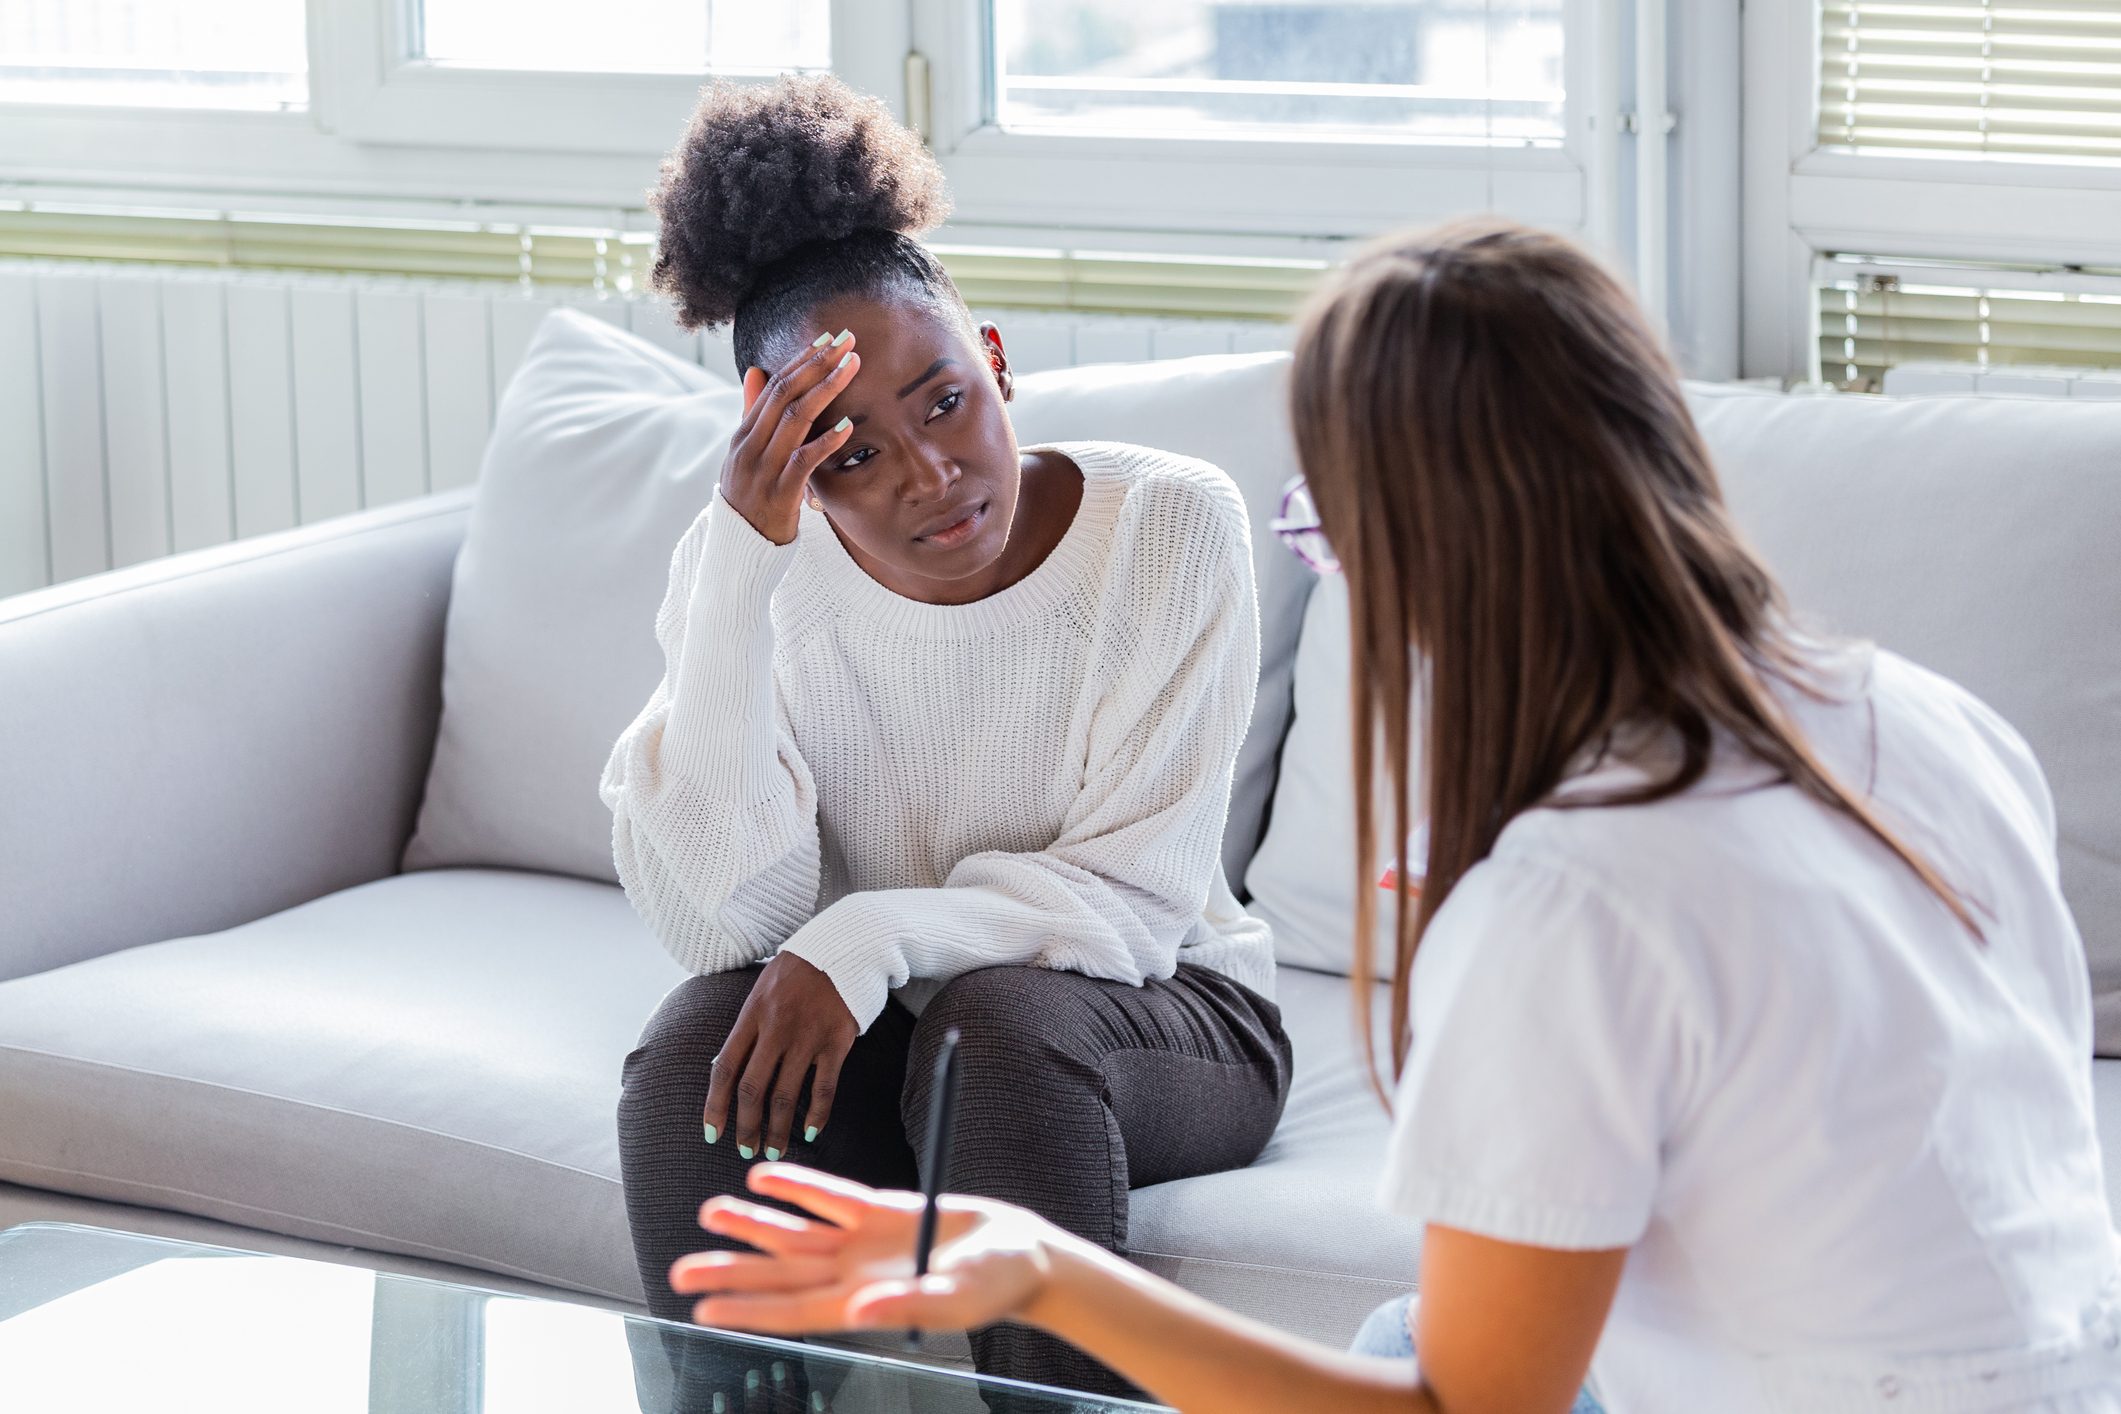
773 453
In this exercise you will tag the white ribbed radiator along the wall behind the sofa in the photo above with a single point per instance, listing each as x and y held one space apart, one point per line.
152 410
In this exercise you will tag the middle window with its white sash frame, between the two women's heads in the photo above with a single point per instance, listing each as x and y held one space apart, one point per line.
1269 128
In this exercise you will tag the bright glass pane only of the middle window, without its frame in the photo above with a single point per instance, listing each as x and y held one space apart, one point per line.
1452 71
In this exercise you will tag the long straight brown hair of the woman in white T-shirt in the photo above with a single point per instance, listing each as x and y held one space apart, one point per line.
1535 544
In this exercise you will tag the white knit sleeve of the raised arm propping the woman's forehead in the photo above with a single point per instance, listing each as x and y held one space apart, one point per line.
714 813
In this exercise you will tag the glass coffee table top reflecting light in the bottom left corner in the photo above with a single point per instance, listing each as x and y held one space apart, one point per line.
105 1322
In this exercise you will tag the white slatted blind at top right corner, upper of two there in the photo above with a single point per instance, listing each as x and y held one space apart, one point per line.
1976 77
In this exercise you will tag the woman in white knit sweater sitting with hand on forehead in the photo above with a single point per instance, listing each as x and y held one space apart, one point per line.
947 749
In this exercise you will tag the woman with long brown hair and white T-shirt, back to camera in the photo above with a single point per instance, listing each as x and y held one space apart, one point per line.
1742 1033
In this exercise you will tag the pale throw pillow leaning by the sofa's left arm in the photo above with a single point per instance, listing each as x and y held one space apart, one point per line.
603 453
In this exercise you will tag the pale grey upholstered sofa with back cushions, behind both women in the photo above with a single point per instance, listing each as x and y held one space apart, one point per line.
232 1012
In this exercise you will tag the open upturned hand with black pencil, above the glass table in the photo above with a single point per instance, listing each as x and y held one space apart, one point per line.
856 1271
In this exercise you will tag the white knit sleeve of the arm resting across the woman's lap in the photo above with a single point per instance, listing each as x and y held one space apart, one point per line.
1129 877
